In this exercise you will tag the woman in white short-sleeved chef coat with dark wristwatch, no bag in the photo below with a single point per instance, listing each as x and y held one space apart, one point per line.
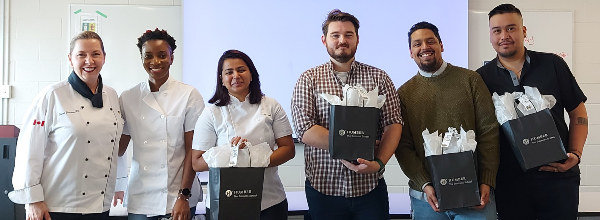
160 115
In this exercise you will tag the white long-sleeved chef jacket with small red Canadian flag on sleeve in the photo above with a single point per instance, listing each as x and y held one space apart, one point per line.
66 150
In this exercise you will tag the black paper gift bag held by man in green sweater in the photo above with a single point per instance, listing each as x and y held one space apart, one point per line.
454 179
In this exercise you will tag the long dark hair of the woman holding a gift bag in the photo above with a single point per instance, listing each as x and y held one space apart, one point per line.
221 96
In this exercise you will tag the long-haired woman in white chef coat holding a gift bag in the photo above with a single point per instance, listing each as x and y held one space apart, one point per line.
240 112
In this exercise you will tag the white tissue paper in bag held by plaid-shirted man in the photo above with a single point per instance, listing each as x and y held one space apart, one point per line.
356 96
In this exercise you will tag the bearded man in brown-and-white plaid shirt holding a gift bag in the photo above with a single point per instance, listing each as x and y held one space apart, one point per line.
338 189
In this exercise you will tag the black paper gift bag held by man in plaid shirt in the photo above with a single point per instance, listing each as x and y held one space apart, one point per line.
352 132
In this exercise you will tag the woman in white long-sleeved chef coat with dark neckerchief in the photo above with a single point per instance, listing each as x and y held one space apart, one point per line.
65 167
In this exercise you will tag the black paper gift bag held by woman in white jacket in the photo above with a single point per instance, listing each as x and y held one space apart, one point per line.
235 192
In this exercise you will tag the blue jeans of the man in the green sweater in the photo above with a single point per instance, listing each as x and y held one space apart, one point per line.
421 210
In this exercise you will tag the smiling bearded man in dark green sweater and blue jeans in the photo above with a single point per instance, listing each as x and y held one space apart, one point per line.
439 96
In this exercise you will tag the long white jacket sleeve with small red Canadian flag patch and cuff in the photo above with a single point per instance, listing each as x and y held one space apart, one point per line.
29 160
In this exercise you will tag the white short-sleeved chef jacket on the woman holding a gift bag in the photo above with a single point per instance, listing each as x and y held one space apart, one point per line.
257 123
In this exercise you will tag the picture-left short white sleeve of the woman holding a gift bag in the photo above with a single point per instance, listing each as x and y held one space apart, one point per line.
205 136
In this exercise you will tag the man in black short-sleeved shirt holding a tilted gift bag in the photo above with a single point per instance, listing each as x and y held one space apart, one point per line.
550 191
